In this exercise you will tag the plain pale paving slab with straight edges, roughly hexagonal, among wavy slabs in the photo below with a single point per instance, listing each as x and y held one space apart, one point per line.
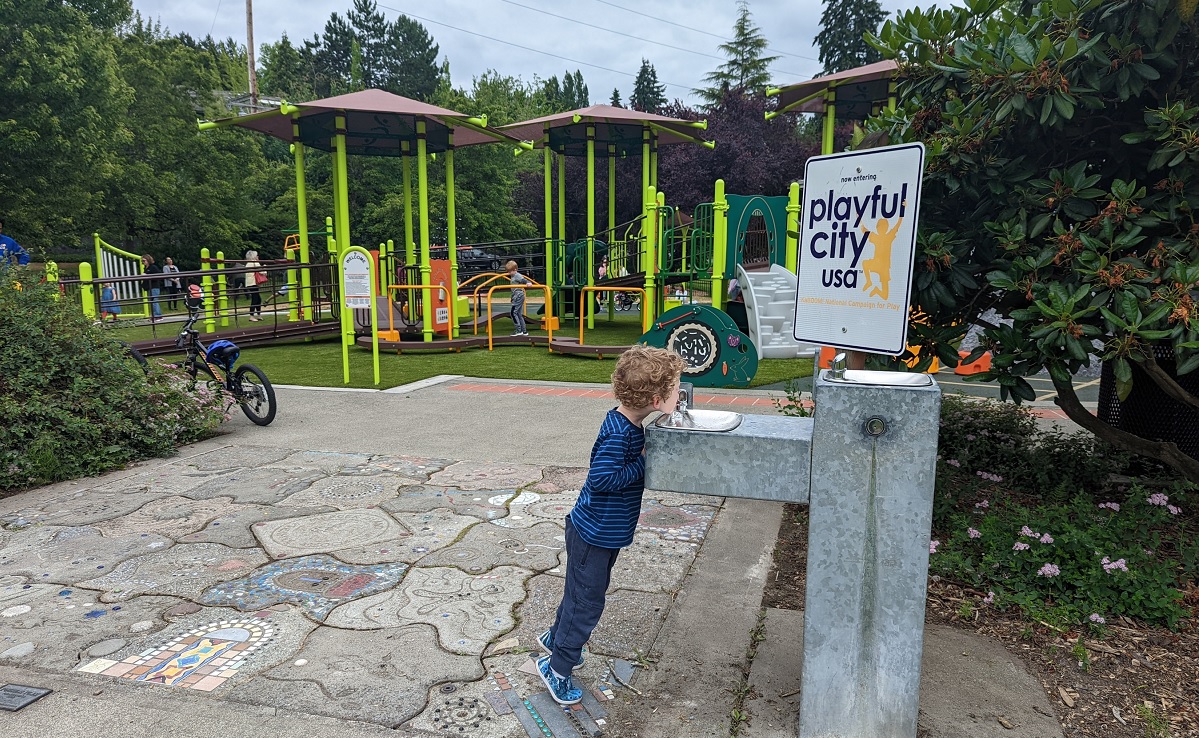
328 533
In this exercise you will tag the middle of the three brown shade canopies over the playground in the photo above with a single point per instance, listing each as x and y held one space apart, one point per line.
617 126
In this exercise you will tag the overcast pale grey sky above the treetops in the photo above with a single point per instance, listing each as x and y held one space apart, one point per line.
540 39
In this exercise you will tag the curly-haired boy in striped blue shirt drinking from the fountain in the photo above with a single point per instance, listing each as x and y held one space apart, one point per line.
604 519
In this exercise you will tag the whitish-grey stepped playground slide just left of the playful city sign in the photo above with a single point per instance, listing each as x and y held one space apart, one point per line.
770 312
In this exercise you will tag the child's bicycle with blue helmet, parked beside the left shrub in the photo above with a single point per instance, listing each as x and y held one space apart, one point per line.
248 385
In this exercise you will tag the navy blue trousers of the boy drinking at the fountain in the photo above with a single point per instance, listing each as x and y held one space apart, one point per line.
588 574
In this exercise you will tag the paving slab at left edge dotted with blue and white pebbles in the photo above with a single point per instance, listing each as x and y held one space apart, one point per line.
65 622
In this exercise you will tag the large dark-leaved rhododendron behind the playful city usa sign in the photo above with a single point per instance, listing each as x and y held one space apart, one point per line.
1058 192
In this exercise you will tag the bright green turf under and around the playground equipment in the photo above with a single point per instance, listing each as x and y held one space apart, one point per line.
320 362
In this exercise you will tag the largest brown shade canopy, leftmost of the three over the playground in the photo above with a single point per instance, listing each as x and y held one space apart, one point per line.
377 124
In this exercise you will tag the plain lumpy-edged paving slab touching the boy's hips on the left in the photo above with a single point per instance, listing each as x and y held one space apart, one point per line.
486 547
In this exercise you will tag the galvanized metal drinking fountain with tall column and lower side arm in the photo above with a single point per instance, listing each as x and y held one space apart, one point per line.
865 465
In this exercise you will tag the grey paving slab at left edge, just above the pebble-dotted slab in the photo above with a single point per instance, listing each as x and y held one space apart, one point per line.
68 555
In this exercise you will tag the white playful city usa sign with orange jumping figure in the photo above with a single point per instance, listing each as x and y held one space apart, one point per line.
858 243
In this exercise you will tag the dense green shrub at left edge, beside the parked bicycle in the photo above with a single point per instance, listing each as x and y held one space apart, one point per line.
71 401
